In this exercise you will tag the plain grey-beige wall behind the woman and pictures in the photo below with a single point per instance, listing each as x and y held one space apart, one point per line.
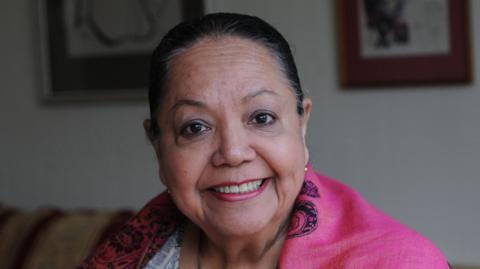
414 152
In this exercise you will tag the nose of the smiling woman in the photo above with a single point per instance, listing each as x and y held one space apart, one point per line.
233 148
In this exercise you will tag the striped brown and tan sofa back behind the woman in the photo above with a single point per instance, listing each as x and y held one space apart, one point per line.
51 238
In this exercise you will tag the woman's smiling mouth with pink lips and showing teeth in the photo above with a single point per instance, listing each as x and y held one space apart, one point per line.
240 191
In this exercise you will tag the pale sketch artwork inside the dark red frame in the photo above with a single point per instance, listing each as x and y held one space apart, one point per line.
403 27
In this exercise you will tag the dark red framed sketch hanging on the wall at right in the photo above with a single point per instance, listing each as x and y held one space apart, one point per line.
395 42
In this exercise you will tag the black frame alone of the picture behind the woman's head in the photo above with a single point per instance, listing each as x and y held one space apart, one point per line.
96 77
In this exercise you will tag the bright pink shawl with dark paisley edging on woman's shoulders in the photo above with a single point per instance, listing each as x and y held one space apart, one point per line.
332 227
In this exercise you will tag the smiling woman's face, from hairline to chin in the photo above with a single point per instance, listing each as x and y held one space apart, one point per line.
231 148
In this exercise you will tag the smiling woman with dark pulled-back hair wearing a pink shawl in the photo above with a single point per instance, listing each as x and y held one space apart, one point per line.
228 122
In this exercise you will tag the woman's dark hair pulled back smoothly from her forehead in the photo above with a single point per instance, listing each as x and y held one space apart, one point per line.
186 34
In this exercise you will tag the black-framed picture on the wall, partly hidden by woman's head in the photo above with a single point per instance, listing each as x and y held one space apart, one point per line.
100 49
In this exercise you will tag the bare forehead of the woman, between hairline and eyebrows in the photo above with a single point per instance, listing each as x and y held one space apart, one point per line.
233 63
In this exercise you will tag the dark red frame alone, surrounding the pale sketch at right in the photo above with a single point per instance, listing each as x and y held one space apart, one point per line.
452 65
